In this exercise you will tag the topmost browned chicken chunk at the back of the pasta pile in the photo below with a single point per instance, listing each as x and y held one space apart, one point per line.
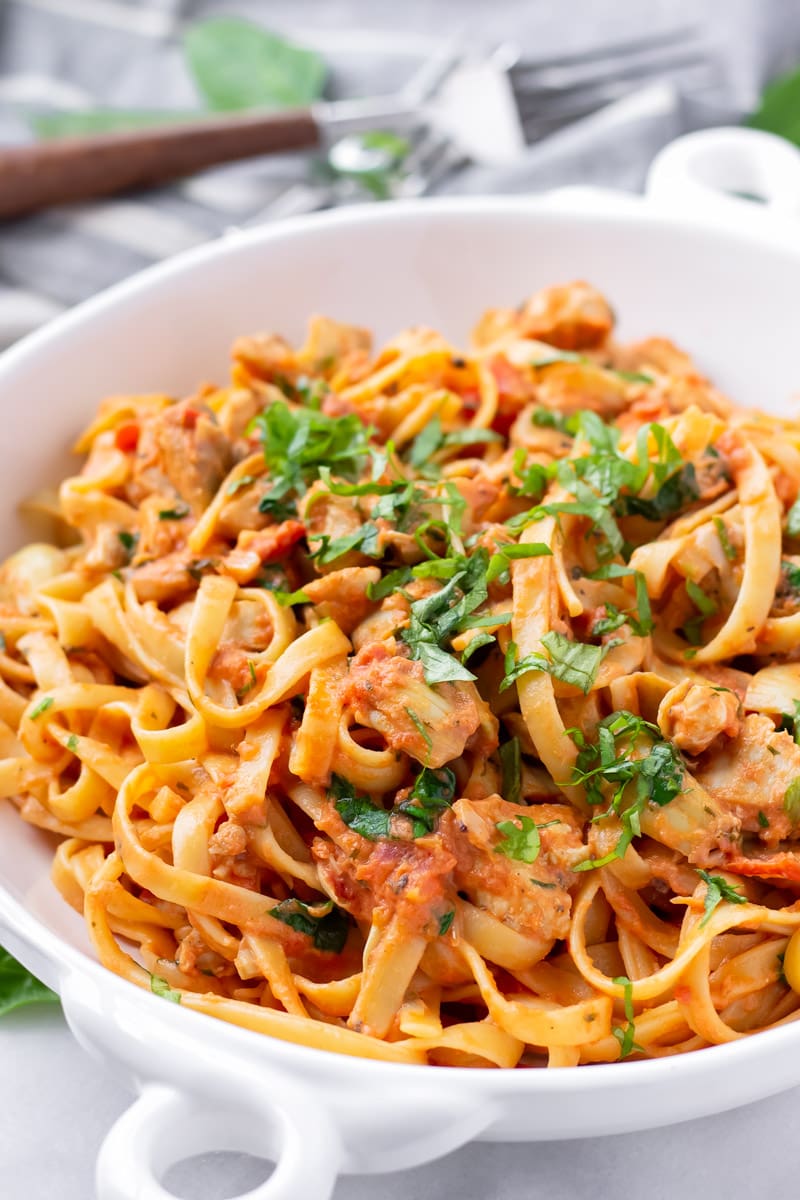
574 317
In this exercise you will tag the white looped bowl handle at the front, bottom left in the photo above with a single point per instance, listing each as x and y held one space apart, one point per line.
165 1126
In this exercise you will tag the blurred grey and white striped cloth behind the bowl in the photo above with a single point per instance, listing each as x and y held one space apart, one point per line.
127 53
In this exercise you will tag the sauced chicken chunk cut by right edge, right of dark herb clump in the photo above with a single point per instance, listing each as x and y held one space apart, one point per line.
749 778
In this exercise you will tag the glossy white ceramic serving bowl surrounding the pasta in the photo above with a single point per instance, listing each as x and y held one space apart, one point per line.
729 290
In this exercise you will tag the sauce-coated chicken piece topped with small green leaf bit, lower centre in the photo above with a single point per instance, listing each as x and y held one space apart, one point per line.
533 898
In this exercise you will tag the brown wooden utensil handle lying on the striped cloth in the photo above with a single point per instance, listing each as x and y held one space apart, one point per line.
59 172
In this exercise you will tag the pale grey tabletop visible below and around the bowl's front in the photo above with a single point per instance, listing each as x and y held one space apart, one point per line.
57 1105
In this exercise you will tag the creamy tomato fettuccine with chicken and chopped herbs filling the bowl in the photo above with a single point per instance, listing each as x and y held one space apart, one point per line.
429 706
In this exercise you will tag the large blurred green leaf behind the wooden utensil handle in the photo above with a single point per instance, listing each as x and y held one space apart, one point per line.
237 64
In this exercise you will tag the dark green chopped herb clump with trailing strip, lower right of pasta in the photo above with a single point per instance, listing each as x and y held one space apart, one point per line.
609 766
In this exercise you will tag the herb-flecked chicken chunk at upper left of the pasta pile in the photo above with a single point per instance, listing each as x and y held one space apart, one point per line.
182 451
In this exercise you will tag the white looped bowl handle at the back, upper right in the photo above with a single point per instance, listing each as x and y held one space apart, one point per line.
737 177
